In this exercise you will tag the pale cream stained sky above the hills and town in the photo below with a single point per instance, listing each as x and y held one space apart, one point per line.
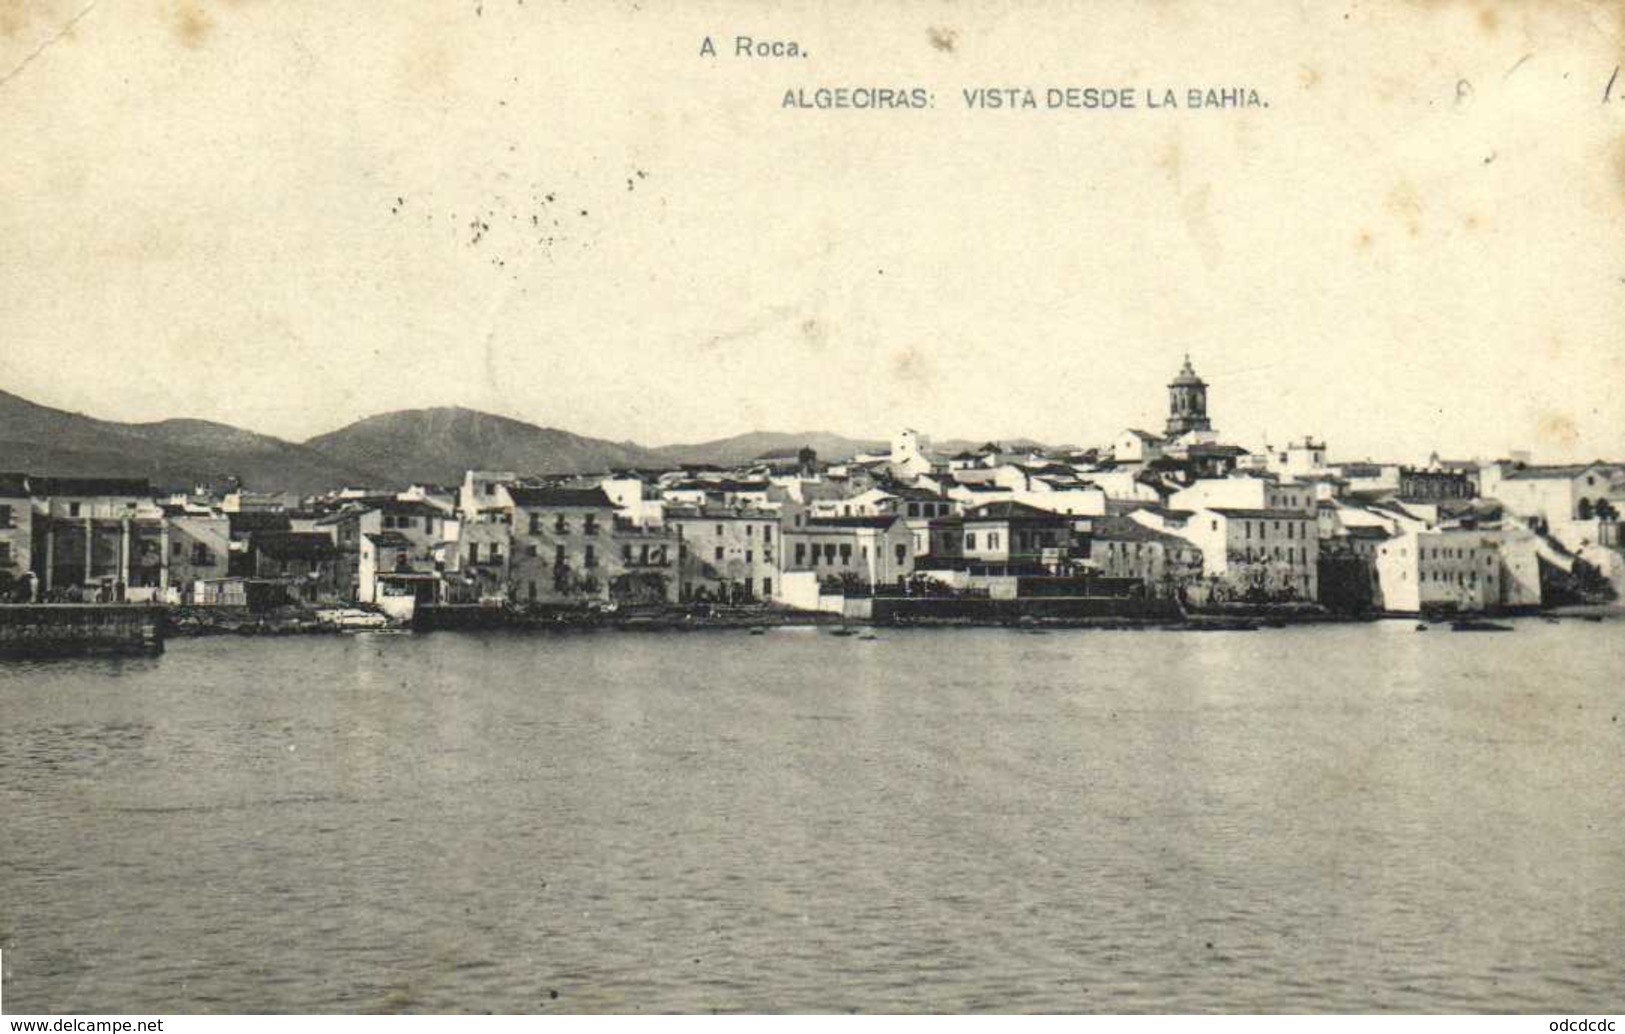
292 215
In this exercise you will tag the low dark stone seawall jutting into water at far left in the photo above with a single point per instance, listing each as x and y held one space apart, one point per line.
66 630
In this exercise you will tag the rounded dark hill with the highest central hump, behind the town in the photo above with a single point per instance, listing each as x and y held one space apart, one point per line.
440 445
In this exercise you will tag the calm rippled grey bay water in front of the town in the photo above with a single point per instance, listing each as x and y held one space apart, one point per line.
1340 819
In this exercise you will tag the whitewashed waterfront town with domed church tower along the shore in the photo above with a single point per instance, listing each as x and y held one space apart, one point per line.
1153 524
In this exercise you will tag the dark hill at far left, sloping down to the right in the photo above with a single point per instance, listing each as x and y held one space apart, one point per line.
171 454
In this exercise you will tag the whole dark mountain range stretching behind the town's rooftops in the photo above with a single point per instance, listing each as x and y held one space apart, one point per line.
389 450
